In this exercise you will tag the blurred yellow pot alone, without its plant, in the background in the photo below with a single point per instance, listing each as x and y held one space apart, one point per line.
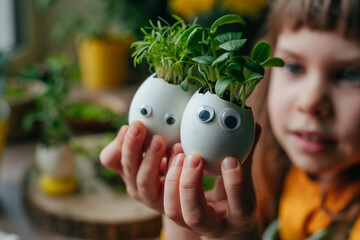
104 63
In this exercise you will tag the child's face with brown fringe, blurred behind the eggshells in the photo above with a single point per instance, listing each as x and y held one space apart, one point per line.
314 100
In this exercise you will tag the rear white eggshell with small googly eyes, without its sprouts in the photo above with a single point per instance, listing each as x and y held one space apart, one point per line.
160 106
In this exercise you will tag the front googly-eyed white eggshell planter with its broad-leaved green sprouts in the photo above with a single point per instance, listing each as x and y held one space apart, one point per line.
216 121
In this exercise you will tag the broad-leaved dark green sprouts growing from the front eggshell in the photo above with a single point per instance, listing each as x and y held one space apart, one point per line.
220 67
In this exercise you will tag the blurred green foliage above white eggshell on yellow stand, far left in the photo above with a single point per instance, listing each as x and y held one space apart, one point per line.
51 107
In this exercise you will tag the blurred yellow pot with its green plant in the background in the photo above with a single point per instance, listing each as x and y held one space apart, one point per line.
103 31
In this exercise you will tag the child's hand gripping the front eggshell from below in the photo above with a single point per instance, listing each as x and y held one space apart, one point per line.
227 211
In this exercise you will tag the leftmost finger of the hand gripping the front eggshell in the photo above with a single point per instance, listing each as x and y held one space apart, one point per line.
172 206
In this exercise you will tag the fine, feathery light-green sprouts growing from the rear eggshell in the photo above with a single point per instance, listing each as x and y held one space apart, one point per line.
163 49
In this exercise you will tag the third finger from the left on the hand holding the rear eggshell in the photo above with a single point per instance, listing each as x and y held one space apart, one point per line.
148 178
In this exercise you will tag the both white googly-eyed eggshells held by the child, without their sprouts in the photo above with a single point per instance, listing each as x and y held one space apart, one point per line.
204 123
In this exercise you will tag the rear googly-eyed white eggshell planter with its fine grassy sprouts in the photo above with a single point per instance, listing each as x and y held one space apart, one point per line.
160 101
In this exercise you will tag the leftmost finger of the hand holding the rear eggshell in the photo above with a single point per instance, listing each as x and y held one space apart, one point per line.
110 156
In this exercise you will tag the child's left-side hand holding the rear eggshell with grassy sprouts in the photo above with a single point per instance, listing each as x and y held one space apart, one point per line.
141 169
